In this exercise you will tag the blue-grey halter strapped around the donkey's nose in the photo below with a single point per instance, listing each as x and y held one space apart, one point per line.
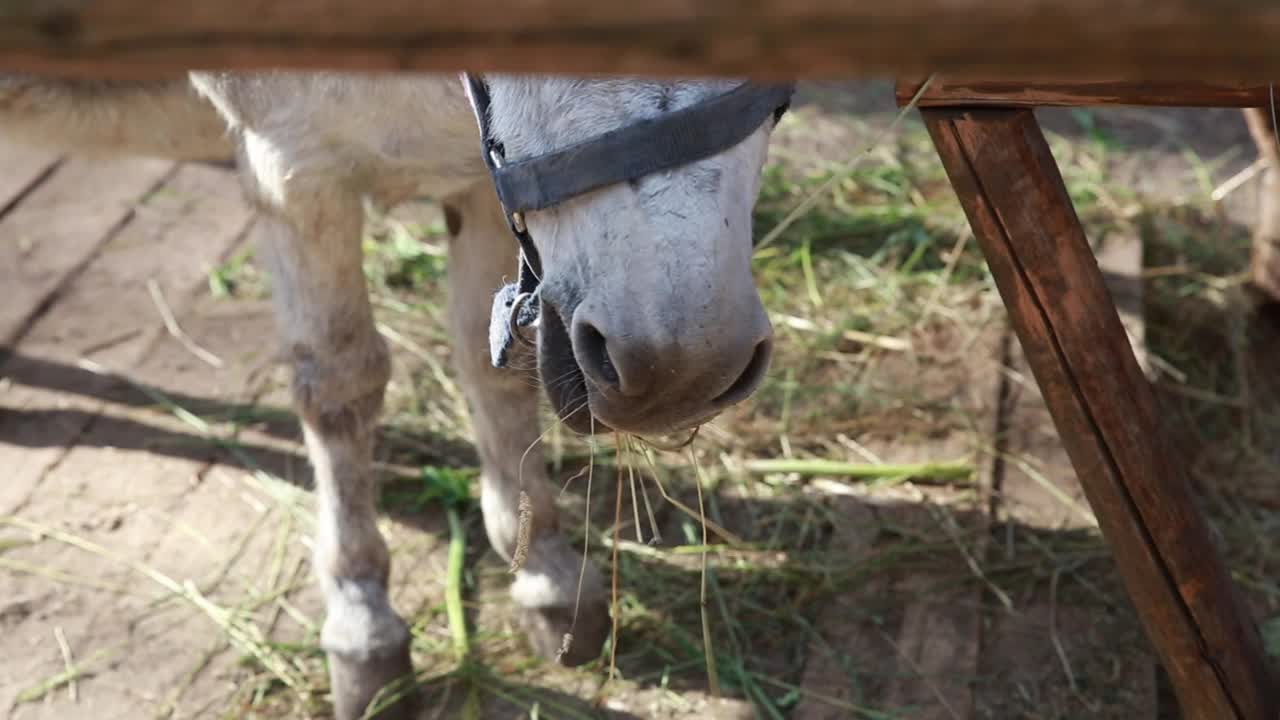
643 148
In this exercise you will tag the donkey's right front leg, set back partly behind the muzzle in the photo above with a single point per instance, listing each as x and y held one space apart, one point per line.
505 416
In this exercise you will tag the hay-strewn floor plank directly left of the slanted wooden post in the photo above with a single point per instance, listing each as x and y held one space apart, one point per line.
1052 654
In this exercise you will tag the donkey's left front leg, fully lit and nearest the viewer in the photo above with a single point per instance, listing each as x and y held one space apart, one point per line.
341 368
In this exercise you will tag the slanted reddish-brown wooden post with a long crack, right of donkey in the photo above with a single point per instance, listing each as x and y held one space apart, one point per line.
1105 412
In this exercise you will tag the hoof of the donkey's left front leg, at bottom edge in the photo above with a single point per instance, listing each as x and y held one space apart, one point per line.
358 683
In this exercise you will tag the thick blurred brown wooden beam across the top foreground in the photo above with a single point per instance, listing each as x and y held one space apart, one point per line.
1064 39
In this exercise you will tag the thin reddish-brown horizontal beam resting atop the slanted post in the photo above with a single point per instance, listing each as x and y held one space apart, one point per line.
957 93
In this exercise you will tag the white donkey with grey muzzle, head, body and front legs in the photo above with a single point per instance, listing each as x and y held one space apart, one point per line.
660 266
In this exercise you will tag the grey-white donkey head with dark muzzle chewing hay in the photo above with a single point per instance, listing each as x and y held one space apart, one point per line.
651 321
